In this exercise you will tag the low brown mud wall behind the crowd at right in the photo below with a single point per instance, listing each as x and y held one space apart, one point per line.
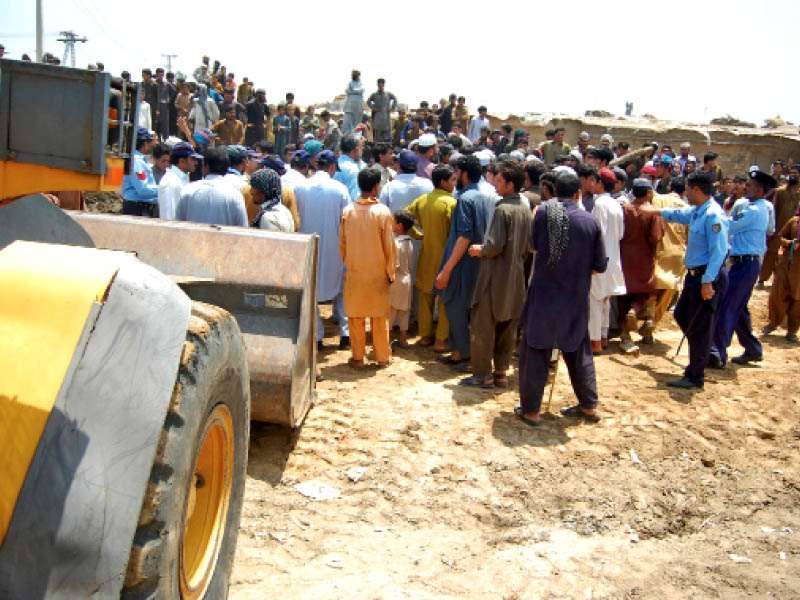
738 148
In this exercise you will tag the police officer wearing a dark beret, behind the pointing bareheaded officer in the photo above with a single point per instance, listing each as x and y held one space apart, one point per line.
748 231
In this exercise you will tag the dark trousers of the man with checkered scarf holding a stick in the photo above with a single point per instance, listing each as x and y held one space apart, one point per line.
534 365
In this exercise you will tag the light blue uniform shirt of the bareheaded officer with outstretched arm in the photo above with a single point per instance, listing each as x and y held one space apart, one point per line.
708 235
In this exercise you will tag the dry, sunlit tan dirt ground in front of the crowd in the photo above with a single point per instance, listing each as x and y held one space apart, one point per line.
672 495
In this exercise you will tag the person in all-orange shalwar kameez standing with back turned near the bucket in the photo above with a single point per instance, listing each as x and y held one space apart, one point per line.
366 243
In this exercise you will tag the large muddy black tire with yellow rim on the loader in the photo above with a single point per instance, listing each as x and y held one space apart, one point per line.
186 534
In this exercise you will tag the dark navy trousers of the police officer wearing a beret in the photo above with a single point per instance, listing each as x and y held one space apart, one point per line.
733 313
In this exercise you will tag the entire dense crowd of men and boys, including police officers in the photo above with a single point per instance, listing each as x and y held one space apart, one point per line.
489 244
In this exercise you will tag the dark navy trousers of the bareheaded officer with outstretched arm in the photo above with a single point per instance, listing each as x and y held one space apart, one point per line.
697 318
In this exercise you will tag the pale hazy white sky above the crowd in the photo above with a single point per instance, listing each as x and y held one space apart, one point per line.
680 60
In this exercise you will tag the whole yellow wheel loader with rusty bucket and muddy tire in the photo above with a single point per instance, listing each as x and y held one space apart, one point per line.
133 354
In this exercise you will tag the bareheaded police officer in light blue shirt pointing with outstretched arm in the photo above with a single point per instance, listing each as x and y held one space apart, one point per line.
707 278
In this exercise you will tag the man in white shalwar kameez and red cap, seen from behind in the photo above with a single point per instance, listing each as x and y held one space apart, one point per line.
612 282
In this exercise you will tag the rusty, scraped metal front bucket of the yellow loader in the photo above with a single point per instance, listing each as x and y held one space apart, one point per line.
267 280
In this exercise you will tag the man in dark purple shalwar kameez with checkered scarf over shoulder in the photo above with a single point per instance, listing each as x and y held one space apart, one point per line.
569 248
